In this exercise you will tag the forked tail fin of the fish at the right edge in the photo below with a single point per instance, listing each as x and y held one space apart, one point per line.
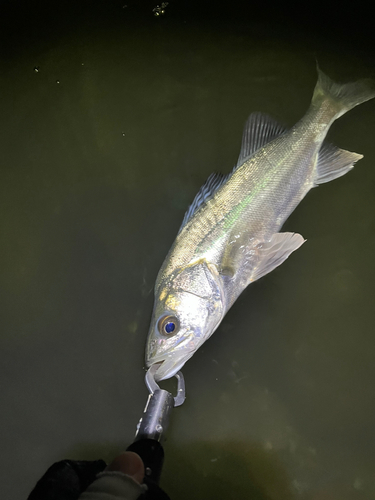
344 96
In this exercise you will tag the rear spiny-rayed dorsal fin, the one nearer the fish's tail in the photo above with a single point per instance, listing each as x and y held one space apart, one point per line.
259 130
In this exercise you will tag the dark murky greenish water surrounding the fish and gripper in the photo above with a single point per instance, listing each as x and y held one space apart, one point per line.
103 146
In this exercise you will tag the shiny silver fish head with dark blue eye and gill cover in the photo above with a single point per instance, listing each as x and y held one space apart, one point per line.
187 310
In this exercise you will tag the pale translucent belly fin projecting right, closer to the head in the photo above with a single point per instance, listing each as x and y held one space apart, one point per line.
274 252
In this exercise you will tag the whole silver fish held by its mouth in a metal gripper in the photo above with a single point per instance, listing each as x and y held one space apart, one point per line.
230 234
